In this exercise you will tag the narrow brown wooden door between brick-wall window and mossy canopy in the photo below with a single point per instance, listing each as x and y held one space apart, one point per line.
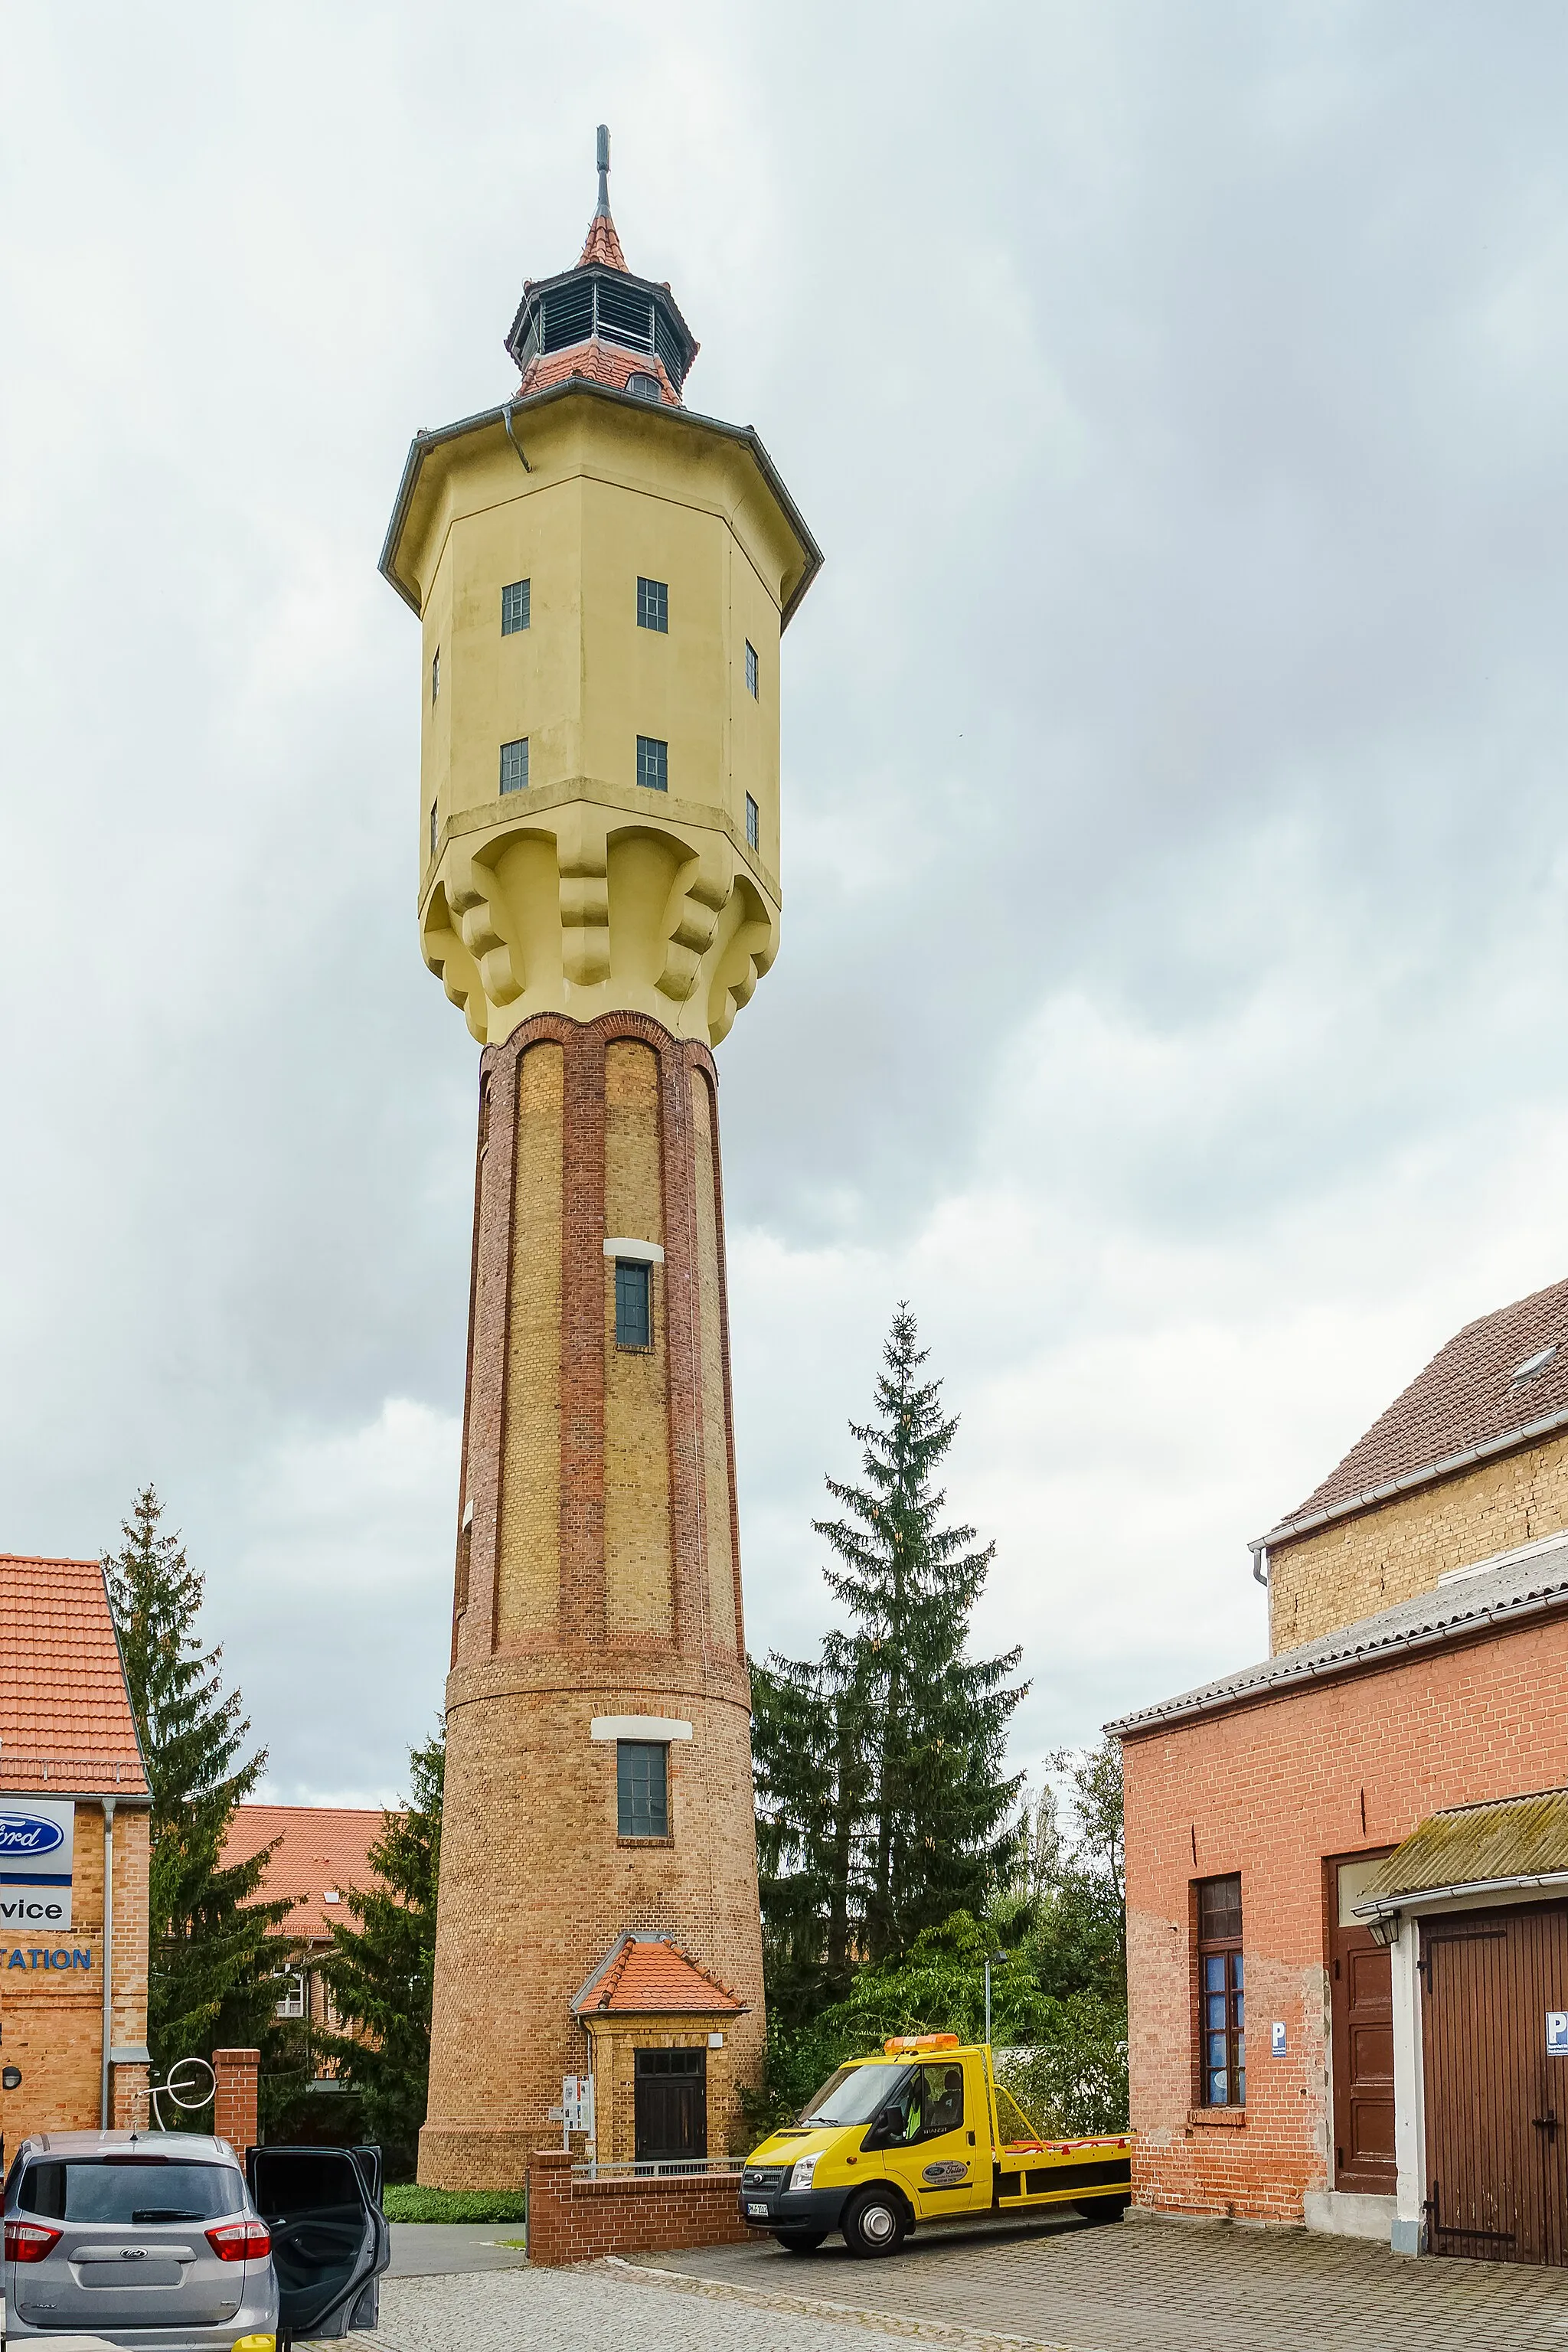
1360 2036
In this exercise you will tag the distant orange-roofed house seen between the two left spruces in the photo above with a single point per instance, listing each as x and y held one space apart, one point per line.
321 1852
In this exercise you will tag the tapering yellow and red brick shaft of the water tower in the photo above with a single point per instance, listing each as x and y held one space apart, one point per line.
601 1577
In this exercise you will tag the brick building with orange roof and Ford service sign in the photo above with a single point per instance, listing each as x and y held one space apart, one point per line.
74 1859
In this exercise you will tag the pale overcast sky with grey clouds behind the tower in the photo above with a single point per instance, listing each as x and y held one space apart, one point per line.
1174 956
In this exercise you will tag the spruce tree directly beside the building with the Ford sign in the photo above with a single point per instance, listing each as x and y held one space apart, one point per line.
213 1951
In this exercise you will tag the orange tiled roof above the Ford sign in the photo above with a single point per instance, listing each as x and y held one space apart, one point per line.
65 1711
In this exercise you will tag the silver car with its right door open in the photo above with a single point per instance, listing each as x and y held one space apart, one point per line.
166 2243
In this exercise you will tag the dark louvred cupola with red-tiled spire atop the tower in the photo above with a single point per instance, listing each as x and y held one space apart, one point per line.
603 323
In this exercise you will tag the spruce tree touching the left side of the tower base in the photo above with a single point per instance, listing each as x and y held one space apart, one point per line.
382 1972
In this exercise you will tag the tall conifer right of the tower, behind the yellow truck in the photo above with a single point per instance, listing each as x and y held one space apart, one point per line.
883 1805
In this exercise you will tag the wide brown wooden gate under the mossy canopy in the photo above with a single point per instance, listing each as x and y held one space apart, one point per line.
1496 2102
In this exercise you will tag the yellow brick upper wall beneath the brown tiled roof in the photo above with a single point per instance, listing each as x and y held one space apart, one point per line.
1355 1568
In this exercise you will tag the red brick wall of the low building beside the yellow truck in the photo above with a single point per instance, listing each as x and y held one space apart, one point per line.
1271 1791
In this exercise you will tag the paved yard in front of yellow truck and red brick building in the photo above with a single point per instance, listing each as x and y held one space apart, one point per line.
1160 2287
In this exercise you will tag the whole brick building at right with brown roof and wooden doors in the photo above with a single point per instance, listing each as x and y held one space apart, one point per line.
1348 1866
